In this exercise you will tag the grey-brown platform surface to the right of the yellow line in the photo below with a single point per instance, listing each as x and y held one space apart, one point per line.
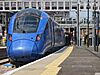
80 62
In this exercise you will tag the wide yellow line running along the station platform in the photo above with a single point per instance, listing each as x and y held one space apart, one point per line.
52 68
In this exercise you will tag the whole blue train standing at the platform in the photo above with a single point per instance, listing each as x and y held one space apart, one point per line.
31 34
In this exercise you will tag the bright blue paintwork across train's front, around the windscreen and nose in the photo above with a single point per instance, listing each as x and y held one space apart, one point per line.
25 45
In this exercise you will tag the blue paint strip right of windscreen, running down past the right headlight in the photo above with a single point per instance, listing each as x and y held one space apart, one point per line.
41 28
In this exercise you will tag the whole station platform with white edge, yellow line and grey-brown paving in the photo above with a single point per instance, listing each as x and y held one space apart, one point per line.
67 61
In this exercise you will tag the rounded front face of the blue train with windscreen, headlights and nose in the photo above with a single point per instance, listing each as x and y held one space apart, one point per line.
22 36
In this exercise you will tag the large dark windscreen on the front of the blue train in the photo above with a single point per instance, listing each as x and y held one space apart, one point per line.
26 23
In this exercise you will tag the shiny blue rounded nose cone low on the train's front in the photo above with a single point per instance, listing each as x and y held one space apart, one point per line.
22 48
